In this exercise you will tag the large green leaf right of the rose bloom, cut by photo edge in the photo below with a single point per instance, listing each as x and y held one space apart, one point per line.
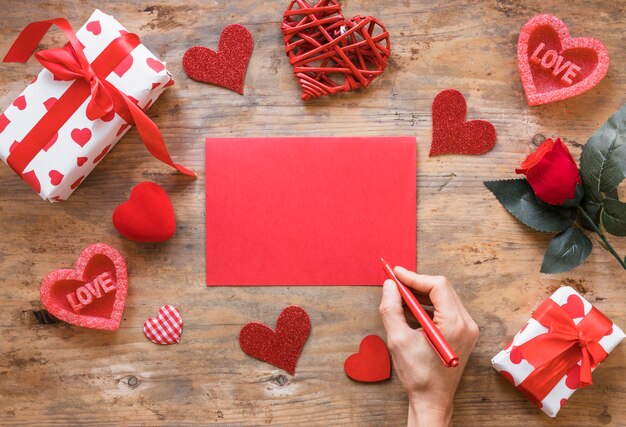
603 159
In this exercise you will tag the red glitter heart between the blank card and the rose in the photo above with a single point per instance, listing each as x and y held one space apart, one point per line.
452 134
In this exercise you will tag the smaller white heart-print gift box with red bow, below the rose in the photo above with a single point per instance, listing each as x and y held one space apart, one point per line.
557 349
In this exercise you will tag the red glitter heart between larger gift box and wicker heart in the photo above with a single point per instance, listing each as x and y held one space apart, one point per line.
226 67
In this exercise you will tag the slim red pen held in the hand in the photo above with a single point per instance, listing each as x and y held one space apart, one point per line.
433 334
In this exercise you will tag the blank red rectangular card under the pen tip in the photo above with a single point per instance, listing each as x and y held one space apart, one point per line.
309 211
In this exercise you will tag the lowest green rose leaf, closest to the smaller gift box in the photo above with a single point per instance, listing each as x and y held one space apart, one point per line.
567 250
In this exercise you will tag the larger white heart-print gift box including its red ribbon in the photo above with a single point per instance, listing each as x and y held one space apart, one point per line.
83 101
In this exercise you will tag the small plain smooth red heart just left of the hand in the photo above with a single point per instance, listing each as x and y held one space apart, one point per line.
371 363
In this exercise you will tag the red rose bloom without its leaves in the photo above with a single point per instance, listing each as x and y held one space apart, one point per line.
552 172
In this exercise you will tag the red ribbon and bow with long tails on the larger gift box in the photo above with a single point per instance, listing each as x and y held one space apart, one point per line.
70 63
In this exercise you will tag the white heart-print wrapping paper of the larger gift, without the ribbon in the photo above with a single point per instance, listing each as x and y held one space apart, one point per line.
79 144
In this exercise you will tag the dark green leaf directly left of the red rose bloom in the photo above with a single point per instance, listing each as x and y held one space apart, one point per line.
518 197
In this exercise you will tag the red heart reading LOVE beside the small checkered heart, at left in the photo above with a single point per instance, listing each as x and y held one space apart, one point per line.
93 294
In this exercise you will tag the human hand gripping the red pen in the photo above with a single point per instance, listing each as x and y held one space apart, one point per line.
429 384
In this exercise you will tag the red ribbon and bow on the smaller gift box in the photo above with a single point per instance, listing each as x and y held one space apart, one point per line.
556 352
